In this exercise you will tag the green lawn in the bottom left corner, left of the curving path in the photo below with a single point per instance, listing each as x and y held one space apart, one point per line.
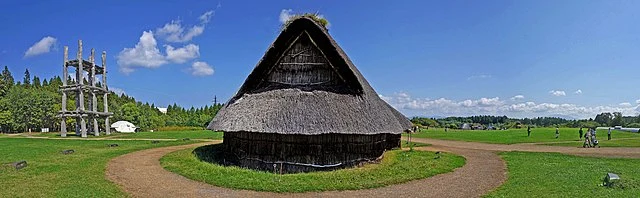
52 174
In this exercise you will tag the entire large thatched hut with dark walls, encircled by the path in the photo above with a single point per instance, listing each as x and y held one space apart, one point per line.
305 107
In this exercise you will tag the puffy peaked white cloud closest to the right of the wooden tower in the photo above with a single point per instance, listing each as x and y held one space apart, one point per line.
144 54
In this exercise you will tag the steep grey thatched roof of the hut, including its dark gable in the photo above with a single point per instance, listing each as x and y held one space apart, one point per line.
306 84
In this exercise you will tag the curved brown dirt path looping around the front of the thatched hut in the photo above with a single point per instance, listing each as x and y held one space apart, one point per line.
141 175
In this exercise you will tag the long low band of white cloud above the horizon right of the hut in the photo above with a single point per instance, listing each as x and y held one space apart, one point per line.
494 106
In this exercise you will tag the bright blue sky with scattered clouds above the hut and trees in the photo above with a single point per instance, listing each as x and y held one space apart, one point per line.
432 58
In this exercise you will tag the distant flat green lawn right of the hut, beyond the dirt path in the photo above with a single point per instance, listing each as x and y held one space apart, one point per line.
513 136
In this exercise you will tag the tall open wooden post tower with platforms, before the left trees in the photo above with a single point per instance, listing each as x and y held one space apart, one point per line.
89 69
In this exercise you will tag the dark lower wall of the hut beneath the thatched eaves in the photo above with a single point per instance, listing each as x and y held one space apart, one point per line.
304 153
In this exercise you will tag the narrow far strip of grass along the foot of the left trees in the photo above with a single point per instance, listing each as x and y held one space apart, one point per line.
199 134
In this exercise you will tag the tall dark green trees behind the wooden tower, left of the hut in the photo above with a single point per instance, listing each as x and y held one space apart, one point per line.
34 103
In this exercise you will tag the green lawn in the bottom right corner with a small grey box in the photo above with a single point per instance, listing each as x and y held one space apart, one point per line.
559 175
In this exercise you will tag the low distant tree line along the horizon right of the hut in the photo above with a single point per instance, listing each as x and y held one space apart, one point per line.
605 119
